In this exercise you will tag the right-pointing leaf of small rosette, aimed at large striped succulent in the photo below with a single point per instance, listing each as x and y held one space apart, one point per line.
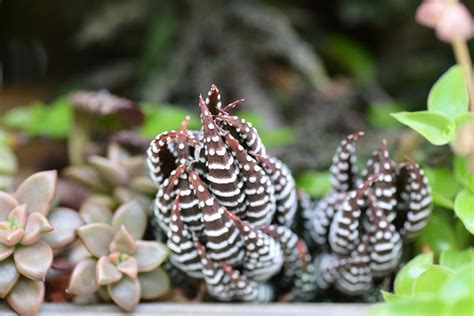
150 255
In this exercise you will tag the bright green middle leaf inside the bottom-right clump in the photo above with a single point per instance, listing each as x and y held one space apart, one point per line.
430 281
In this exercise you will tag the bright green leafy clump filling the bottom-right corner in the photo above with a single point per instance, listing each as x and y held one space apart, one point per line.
425 288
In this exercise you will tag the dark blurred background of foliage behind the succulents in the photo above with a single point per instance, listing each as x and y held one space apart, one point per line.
310 71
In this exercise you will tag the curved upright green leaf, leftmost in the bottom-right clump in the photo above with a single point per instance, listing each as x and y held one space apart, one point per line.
406 277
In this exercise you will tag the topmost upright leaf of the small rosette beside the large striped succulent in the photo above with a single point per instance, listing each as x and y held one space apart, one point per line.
133 216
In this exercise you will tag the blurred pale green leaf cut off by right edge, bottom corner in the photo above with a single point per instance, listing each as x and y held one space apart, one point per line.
460 286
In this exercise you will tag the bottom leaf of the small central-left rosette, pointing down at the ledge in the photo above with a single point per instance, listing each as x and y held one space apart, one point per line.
125 293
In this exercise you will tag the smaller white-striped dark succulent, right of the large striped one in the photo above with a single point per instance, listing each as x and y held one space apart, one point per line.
361 224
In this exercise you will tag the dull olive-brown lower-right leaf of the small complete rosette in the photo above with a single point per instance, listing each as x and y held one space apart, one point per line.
154 284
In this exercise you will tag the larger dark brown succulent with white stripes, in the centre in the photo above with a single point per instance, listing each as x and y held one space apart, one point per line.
227 206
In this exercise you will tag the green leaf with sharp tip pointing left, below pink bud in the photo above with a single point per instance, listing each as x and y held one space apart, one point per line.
437 128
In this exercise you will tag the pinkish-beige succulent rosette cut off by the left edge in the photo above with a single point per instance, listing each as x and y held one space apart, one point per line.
29 232
